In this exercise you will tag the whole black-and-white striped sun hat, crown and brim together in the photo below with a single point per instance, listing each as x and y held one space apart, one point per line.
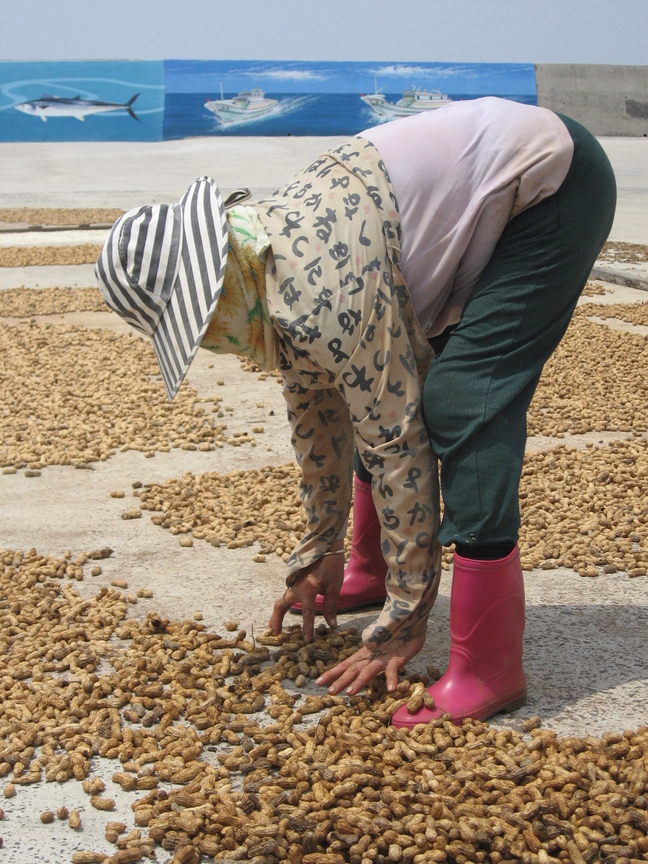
162 269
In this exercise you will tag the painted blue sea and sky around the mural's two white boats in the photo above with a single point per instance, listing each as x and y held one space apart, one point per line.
321 98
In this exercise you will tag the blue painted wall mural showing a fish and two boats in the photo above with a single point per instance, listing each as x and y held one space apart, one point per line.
171 99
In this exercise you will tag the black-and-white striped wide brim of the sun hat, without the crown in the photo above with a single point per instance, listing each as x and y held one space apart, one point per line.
198 284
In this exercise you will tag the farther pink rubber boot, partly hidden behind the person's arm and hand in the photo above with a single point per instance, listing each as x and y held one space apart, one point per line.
364 576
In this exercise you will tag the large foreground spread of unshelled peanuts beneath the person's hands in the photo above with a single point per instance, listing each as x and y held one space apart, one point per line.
228 751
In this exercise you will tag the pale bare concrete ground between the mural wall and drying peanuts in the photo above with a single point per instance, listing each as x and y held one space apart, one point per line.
121 174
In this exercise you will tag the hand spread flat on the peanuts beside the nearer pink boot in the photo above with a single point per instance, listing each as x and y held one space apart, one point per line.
360 668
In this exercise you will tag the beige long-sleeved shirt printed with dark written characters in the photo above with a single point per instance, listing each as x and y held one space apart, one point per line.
353 357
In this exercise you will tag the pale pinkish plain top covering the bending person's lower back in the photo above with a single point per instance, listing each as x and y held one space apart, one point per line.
459 174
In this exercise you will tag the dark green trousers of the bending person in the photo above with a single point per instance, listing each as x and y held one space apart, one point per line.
480 386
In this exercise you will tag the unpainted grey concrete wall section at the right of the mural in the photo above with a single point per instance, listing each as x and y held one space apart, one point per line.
609 100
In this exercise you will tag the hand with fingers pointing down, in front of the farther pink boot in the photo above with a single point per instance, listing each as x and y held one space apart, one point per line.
323 577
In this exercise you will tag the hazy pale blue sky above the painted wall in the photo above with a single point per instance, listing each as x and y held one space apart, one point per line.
511 31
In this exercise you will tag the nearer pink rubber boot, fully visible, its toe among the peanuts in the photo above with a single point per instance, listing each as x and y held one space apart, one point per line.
485 673
